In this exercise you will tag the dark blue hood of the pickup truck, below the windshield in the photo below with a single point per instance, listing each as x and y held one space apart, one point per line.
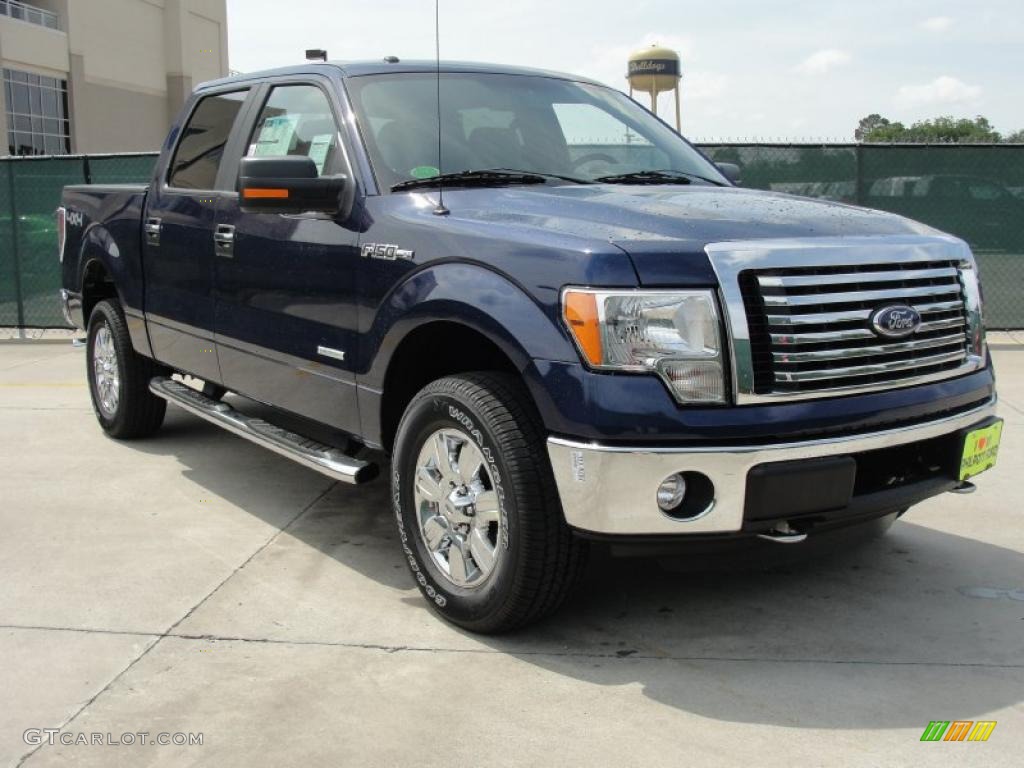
665 229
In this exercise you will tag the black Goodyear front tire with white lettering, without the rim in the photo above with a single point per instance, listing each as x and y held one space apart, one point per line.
541 561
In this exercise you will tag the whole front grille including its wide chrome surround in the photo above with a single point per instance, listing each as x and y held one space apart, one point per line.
799 314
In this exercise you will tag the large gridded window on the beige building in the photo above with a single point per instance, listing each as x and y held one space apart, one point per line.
37 114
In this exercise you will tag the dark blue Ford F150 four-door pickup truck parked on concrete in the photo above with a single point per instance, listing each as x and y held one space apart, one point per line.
550 317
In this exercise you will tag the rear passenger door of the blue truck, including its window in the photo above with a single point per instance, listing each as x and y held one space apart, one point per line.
179 237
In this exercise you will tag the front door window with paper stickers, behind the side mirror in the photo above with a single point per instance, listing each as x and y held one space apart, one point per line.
297 120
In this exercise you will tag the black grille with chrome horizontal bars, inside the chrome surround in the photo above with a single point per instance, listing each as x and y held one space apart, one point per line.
810 327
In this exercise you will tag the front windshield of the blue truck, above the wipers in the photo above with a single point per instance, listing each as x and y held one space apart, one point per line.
514 122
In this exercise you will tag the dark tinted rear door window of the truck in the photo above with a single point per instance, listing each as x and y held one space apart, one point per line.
202 145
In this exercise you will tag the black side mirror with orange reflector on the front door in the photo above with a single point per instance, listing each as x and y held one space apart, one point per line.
289 185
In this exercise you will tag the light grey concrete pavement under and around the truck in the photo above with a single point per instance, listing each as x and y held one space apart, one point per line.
195 583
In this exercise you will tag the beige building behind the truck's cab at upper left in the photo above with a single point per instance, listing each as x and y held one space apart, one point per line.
97 76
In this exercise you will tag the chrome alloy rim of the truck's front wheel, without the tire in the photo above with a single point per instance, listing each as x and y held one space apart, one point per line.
457 508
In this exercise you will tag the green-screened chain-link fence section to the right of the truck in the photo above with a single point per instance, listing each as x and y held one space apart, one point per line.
975 192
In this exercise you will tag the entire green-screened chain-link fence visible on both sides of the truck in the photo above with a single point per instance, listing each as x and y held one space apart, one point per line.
973 191
